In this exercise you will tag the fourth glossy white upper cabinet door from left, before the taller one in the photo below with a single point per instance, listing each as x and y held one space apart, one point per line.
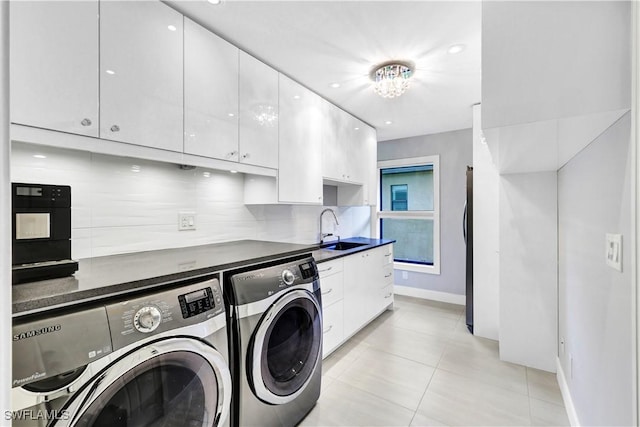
258 113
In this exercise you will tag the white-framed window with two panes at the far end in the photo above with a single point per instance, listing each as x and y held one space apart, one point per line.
409 212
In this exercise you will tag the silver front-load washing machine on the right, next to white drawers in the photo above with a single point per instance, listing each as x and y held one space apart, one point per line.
276 341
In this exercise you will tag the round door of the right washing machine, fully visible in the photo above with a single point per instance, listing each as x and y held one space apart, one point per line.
286 348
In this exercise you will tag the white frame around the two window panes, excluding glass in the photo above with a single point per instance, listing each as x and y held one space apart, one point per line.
425 215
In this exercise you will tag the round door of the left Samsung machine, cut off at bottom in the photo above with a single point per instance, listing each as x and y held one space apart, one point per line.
172 382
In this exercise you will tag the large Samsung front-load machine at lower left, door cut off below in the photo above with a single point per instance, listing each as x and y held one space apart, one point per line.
157 359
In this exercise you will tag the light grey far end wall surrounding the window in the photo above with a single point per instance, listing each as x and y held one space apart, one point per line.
455 151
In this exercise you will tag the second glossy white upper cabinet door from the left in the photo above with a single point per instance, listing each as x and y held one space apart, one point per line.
141 70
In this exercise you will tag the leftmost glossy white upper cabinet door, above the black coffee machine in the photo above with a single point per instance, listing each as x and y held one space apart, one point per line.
54 65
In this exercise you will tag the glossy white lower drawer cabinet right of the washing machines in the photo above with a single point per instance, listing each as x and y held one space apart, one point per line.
355 290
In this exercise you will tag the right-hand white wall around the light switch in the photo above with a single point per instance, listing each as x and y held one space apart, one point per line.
596 314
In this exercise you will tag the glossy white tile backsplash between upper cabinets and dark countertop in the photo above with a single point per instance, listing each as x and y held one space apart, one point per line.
124 205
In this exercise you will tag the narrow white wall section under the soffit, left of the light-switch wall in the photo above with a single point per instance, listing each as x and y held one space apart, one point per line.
528 269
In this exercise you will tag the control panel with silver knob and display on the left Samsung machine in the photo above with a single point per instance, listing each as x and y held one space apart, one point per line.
139 316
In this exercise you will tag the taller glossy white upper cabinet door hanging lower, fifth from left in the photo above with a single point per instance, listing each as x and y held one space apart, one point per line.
301 128
